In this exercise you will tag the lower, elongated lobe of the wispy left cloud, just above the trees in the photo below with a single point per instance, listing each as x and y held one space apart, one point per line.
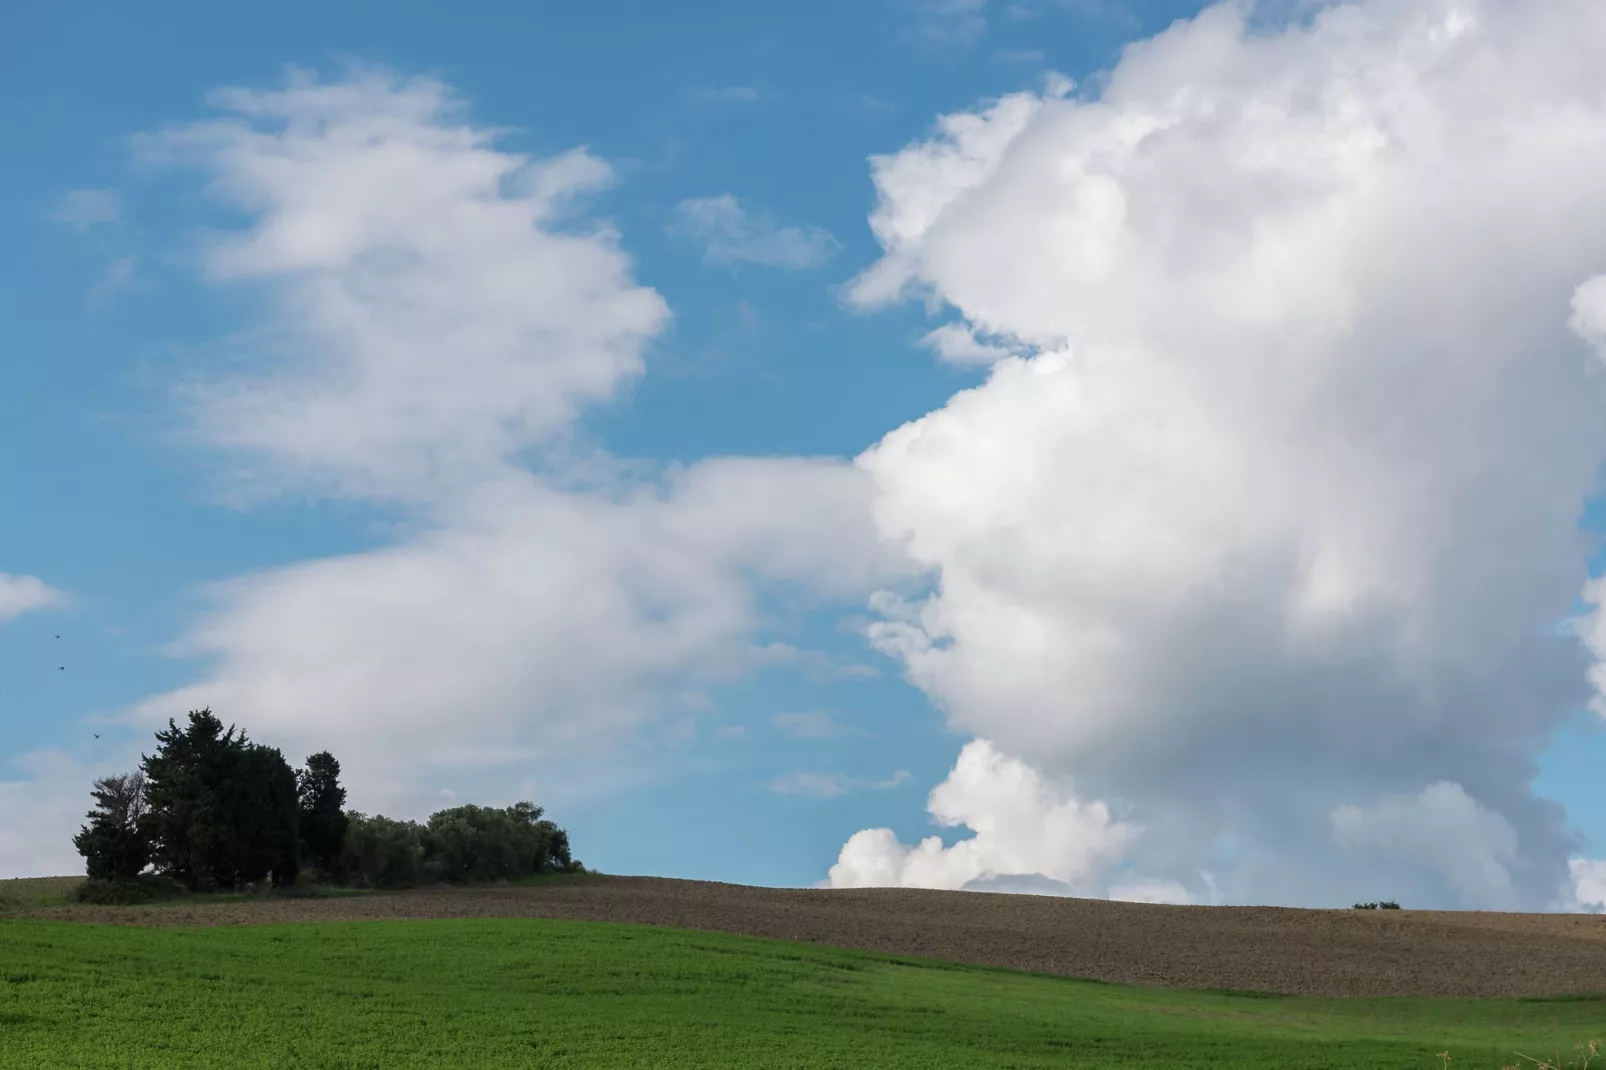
531 613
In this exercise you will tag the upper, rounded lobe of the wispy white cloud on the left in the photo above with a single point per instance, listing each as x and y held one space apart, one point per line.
441 308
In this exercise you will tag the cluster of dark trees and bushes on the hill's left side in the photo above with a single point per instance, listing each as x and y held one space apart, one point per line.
214 811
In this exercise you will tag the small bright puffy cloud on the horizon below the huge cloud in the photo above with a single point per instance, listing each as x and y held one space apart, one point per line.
1022 828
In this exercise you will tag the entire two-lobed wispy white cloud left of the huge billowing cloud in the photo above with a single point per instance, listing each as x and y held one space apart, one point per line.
436 316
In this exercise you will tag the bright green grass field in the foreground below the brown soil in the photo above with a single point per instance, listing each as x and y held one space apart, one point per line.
539 994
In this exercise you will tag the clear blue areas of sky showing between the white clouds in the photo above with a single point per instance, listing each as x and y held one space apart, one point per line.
765 772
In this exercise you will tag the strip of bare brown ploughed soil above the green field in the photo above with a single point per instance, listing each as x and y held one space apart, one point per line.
1321 954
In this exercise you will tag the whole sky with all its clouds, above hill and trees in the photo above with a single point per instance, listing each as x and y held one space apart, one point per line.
1141 451
